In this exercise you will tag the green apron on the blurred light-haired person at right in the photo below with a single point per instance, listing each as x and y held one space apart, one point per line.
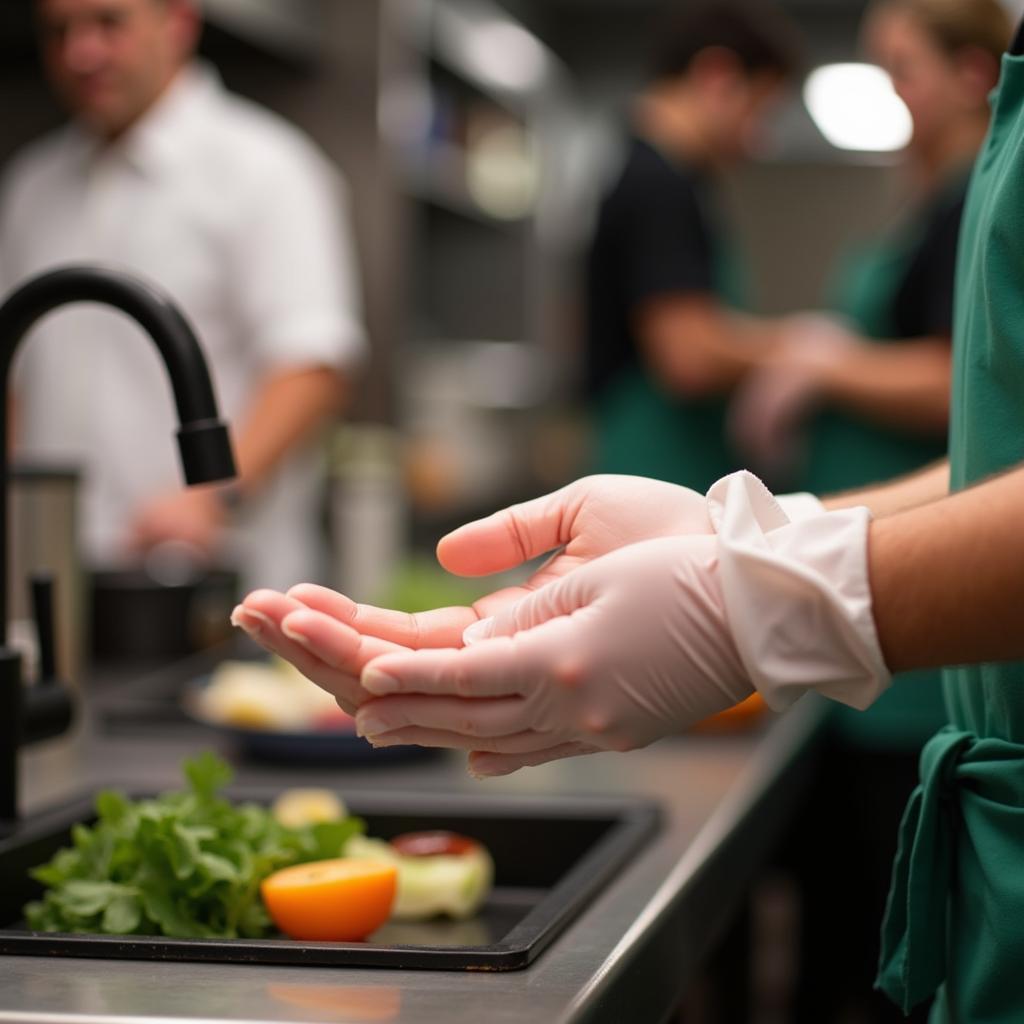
847 452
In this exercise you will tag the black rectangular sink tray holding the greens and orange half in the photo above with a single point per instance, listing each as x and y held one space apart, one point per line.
552 856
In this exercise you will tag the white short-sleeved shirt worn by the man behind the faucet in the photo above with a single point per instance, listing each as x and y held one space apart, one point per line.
239 218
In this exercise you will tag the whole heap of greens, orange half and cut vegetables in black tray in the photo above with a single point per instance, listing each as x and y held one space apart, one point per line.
192 865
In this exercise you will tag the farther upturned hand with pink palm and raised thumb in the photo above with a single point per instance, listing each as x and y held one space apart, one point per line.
330 638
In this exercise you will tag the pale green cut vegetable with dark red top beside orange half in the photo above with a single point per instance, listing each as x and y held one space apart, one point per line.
439 873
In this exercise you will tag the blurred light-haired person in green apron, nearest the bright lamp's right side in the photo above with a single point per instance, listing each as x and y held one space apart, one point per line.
878 380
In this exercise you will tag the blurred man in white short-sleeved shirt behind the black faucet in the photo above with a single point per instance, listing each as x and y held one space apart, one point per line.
241 220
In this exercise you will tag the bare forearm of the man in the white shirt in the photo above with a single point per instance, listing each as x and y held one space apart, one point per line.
287 409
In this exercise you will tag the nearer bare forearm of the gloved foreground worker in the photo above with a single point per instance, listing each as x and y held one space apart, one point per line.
947 580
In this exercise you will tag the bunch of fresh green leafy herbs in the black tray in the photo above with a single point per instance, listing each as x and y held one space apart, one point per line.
186 865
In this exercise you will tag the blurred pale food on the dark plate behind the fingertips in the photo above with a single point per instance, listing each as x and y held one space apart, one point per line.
272 696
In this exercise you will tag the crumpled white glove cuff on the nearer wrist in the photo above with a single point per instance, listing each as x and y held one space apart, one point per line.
797 596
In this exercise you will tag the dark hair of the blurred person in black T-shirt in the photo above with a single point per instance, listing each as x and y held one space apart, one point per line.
762 38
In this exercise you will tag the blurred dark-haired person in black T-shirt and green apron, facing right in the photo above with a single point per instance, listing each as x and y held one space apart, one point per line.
666 344
